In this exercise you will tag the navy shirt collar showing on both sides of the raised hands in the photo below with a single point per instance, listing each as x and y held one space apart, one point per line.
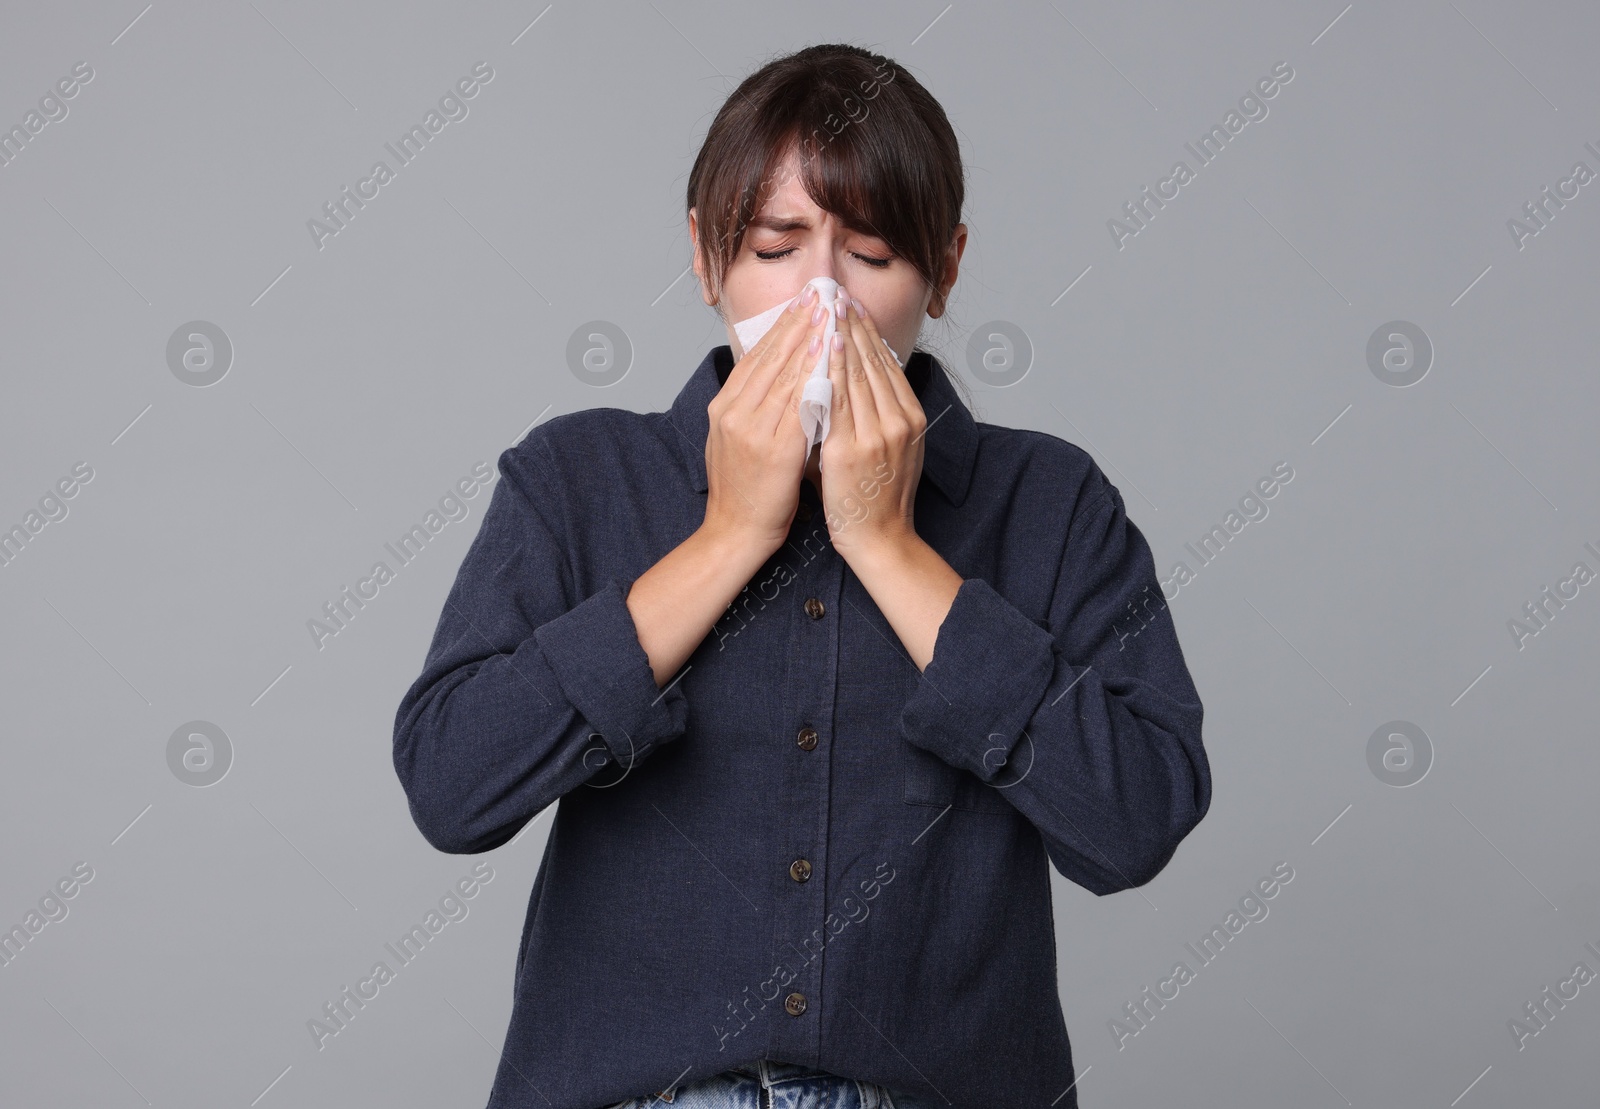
951 439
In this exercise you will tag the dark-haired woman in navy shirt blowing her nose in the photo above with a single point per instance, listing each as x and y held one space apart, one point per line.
818 716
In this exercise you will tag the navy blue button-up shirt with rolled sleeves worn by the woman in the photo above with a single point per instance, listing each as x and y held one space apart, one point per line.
802 849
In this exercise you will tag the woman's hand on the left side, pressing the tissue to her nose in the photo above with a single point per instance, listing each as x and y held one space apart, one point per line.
756 449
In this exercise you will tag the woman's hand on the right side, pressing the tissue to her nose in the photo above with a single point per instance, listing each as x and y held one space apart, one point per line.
871 462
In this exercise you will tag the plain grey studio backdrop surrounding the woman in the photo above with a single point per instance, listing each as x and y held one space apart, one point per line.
369 377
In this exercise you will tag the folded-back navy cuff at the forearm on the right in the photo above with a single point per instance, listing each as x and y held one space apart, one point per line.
990 671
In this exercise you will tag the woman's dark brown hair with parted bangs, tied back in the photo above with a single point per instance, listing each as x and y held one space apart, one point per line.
897 177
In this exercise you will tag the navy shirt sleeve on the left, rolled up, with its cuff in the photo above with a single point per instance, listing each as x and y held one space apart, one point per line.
527 689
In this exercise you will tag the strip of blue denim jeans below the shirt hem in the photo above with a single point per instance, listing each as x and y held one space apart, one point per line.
777 1086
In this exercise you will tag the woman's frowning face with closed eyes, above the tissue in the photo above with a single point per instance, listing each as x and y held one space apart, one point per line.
801 242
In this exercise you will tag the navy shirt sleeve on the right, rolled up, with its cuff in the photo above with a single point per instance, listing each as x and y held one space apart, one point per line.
1089 724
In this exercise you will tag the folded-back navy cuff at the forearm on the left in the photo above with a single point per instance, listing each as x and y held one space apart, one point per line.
606 675
